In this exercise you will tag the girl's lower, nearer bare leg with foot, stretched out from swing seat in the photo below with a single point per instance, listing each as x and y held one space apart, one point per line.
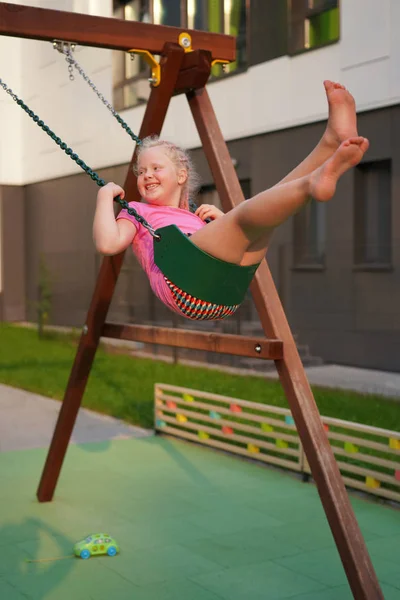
250 224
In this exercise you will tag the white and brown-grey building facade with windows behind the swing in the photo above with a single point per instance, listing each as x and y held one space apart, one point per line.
336 265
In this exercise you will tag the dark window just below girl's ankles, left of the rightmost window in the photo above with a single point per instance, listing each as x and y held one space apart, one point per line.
309 236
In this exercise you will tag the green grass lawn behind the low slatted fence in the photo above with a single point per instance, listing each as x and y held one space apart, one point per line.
122 386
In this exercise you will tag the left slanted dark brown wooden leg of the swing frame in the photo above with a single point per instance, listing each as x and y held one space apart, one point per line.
152 123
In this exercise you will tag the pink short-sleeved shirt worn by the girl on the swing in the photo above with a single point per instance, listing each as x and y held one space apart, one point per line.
142 245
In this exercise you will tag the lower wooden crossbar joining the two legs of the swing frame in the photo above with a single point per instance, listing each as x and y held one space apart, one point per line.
236 345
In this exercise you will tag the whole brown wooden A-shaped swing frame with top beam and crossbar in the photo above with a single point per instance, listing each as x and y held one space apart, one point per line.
188 72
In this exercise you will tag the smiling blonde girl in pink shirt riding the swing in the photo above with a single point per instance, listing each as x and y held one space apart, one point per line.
166 180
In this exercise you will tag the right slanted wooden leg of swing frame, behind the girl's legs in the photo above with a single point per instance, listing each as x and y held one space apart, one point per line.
339 512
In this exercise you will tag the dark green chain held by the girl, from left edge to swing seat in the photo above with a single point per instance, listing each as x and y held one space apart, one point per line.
100 182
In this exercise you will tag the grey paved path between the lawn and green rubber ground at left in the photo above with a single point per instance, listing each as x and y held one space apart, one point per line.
27 421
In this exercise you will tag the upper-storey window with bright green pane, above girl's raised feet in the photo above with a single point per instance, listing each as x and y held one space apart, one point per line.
313 23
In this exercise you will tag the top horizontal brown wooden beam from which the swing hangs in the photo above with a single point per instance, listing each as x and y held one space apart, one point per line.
103 32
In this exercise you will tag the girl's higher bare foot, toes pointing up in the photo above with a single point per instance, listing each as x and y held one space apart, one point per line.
342 121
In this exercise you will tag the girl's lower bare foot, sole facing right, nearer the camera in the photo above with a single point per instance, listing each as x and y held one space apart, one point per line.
324 179
